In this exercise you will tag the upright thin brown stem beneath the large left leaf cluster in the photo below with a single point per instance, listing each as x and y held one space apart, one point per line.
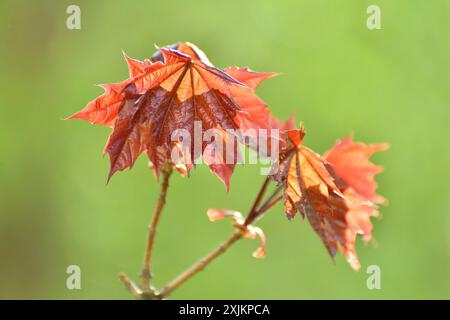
146 274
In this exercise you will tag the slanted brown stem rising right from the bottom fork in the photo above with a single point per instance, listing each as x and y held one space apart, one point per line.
201 264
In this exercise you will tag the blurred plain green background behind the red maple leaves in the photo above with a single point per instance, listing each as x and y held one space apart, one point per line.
338 77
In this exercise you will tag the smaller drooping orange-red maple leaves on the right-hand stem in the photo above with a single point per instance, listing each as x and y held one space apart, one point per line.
325 194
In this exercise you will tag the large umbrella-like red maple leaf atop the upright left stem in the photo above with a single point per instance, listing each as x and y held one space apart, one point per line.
178 87
